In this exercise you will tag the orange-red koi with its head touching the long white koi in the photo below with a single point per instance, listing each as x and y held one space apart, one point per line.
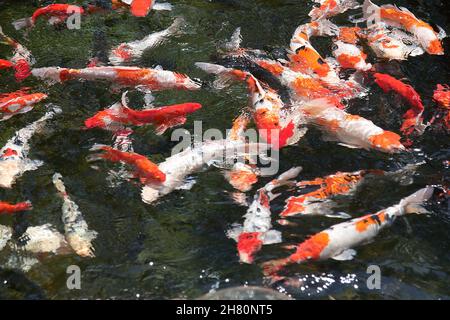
145 170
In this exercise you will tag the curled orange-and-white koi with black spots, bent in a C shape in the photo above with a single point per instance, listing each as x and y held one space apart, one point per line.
304 58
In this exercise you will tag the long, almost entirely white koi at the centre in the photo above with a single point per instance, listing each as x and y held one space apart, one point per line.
177 167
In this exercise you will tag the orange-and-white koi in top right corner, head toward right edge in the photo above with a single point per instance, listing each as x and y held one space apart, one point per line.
404 19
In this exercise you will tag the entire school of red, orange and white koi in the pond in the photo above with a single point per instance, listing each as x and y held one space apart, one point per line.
302 90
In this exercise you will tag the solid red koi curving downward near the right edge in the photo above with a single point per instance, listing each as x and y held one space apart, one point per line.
413 119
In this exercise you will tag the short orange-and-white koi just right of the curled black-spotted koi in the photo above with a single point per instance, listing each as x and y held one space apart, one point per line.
346 51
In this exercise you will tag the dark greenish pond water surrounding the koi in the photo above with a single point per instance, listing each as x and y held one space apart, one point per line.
178 248
